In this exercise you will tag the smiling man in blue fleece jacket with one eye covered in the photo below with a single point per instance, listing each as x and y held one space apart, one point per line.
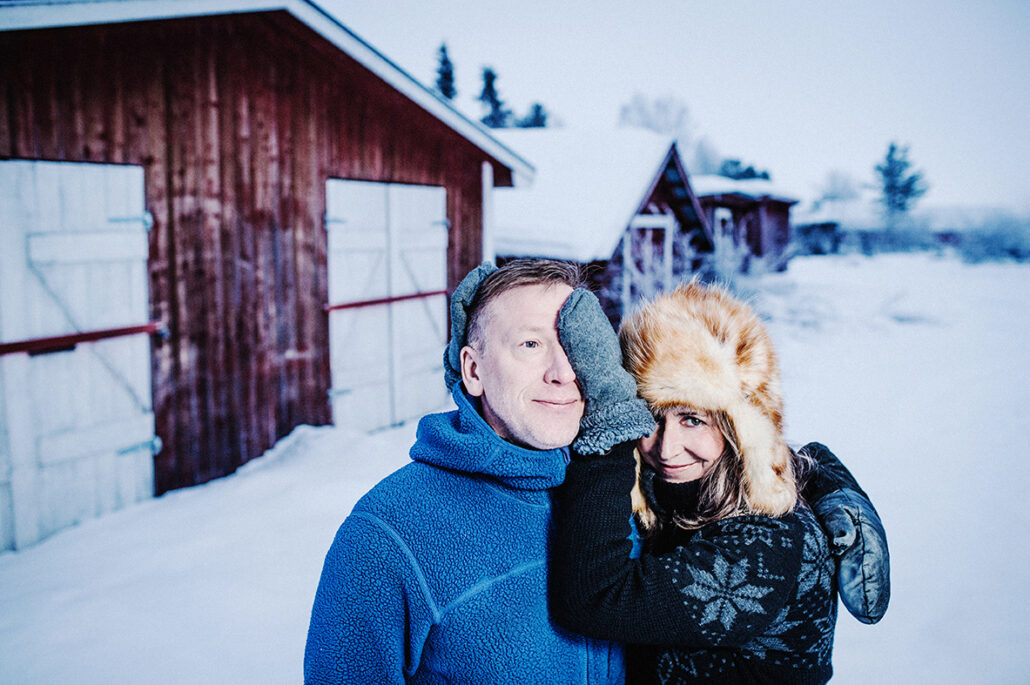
440 572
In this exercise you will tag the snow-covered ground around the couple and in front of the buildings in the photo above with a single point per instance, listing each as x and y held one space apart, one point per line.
913 369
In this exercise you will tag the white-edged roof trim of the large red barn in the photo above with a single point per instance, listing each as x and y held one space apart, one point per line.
18 15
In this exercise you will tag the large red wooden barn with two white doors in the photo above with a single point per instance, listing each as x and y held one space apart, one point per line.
222 220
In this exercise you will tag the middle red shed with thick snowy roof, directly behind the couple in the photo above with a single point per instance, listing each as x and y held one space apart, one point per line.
617 201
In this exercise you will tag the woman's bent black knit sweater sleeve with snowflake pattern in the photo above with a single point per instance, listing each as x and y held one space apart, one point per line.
726 585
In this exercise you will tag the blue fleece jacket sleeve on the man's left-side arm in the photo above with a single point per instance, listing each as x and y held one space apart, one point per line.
372 610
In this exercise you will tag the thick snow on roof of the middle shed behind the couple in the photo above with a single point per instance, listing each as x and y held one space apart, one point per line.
589 187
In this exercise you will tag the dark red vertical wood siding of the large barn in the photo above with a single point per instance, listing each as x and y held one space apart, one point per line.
238 122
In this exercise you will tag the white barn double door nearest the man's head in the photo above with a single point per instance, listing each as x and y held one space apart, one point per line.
388 280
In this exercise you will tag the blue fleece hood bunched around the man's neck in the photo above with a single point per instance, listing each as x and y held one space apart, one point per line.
463 441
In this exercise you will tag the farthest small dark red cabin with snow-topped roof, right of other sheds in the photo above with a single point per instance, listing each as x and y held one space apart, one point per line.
750 213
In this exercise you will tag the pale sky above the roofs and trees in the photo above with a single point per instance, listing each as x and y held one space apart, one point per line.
797 87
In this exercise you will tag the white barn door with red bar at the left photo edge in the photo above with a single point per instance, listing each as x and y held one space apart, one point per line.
77 424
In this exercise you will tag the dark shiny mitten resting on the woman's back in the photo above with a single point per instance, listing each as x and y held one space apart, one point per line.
856 536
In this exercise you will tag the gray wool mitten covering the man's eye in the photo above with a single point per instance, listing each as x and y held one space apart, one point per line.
614 414
